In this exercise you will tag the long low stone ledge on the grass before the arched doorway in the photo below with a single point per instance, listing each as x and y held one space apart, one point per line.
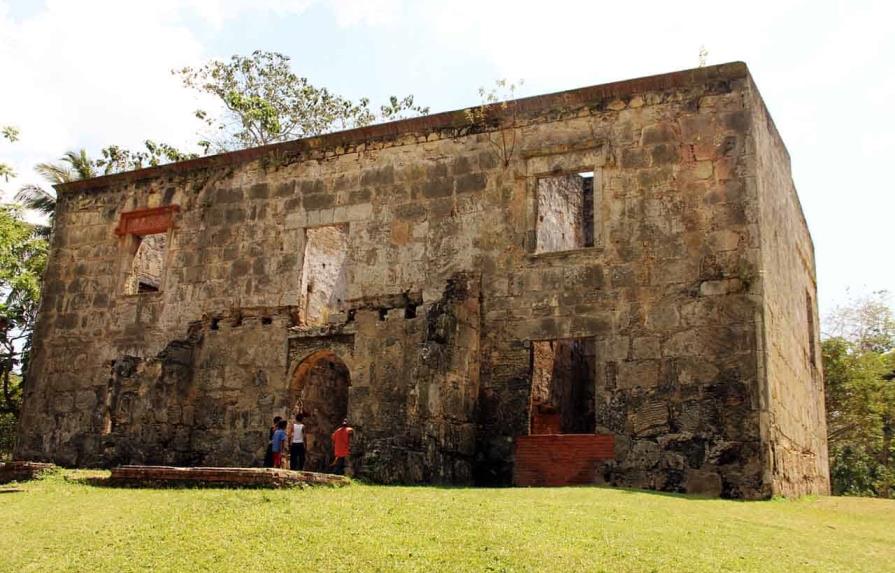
238 477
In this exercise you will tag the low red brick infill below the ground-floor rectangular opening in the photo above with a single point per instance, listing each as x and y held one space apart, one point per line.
560 459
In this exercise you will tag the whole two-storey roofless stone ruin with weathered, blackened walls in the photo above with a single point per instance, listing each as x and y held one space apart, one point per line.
612 284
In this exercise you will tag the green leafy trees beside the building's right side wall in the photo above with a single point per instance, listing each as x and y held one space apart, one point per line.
859 370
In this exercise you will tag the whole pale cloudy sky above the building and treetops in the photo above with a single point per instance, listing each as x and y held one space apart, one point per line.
88 73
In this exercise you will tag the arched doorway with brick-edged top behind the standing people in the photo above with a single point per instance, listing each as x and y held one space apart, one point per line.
319 391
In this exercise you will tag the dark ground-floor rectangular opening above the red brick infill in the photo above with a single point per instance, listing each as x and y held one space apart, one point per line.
563 386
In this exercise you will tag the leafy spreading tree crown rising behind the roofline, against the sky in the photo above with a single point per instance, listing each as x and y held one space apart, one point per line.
266 102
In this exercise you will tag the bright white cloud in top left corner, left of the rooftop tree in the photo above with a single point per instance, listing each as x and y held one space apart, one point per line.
91 73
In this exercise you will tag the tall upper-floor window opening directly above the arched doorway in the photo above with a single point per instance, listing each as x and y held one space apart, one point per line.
324 276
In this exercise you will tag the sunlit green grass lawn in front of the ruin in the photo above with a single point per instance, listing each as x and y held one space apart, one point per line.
57 524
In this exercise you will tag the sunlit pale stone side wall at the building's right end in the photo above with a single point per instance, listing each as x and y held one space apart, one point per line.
793 418
